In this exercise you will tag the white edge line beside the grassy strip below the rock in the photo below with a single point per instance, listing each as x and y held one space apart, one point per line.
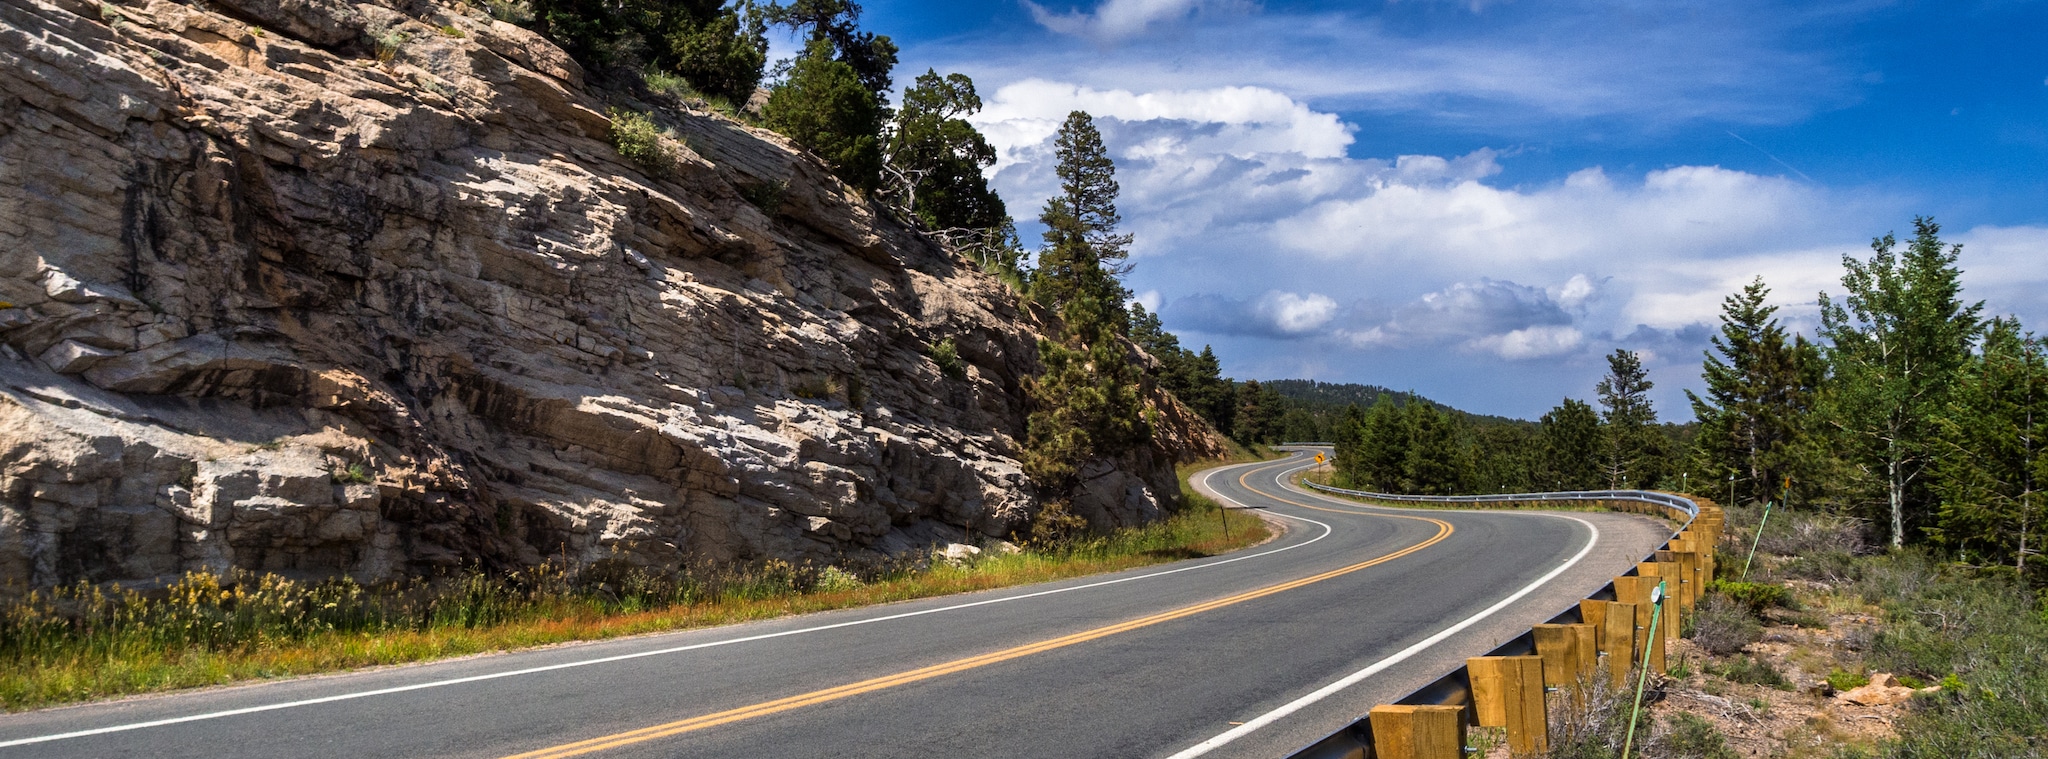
658 652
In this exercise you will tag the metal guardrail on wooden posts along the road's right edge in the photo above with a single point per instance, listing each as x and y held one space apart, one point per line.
1355 742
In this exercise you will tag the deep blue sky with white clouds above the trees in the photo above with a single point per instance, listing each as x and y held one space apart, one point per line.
1482 199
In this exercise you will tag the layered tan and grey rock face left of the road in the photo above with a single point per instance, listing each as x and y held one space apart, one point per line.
323 287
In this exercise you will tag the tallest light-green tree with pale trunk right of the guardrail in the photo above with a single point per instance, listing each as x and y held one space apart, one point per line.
1895 345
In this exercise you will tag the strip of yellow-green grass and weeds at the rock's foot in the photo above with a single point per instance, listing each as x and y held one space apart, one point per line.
85 643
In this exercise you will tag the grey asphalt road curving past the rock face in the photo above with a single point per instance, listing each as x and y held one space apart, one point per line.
1162 662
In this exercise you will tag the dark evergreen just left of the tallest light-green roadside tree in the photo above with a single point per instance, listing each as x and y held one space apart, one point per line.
1760 388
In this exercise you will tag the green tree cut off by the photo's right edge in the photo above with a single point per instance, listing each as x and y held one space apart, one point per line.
1990 457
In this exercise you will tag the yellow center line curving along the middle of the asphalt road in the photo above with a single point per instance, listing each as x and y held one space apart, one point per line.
957 666
